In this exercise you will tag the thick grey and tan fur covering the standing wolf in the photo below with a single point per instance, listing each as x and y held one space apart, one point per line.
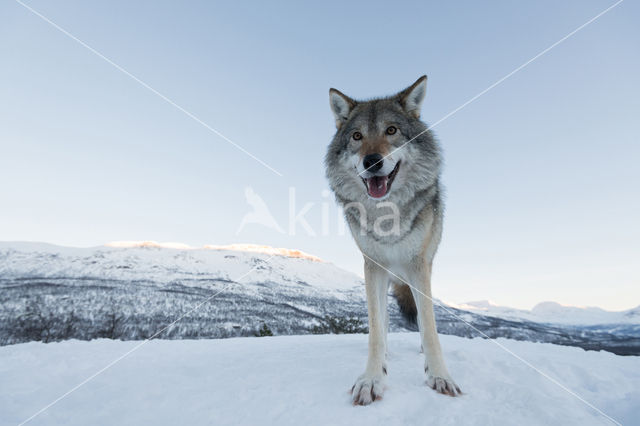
403 251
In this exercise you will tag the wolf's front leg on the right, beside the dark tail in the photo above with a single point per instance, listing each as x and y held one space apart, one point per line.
438 377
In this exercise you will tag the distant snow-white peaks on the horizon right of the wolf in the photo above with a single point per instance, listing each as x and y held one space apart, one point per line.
555 313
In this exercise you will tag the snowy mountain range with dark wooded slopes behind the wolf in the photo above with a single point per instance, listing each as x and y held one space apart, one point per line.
132 291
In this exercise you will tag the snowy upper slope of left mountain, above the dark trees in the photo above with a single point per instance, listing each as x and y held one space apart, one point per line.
163 264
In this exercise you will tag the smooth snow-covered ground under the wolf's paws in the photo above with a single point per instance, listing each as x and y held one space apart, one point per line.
304 380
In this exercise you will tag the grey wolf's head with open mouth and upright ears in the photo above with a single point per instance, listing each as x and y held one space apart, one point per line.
371 158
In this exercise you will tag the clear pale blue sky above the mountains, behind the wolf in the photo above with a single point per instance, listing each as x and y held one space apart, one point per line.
542 172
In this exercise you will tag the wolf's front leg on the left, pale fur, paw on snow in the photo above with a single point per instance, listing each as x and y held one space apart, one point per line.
370 385
